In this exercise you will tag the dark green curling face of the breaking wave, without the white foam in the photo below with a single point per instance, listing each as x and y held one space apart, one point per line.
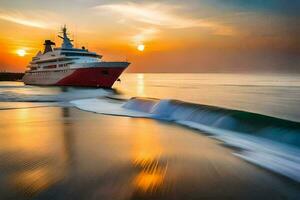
234 120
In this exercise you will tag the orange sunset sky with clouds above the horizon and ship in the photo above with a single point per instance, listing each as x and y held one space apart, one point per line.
178 36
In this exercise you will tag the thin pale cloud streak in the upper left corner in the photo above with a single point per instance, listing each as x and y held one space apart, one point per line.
37 19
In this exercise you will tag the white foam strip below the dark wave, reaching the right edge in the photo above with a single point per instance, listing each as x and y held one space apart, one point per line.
277 157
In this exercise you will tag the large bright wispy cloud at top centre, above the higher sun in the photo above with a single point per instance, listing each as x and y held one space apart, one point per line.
163 15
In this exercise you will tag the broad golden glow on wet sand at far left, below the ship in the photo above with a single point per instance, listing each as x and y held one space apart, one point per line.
44 160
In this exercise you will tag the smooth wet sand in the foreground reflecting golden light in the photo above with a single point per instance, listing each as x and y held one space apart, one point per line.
65 153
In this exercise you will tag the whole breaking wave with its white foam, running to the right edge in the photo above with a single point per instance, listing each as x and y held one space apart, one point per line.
269 142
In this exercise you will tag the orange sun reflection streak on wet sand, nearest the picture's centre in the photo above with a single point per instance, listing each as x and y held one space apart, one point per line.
147 160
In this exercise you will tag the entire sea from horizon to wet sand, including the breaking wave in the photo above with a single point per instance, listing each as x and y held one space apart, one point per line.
256 114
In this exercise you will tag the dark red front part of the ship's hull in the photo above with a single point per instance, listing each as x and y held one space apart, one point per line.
92 77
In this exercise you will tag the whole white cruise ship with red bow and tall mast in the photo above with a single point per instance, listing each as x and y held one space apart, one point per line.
69 66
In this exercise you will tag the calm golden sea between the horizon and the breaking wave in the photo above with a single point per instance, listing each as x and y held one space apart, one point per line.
275 95
